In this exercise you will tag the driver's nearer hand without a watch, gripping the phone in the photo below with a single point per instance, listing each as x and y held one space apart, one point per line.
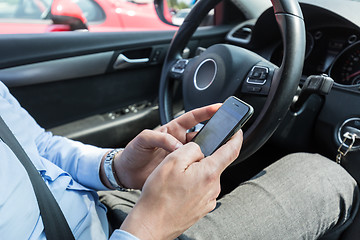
181 190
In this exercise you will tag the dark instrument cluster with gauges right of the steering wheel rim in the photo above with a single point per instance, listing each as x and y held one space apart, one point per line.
332 50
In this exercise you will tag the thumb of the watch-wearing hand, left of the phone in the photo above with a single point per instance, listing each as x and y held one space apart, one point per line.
149 139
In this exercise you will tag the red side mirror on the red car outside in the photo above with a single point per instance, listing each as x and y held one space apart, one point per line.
67 16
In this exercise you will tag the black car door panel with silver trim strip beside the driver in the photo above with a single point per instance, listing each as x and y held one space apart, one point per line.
68 83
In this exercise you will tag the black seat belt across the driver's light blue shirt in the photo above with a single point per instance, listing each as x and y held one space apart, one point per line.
55 224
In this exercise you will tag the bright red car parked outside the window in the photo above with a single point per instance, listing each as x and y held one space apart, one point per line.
38 16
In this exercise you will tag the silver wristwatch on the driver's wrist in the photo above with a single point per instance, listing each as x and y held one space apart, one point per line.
110 170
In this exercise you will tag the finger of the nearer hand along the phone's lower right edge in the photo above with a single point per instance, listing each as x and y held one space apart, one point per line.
227 153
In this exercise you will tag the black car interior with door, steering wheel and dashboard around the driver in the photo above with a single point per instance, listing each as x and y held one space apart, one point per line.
297 64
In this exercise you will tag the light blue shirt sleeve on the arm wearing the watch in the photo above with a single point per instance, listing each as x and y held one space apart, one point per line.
81 161
